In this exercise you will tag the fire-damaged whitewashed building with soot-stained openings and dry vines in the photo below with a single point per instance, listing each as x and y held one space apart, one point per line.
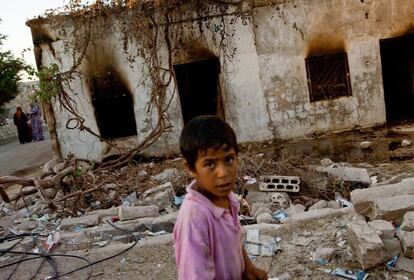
272 69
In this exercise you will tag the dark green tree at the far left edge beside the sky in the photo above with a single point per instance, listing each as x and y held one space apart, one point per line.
10 69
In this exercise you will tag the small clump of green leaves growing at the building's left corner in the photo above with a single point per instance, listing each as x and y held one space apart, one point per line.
49 84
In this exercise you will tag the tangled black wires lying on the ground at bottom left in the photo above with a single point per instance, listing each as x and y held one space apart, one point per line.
52 262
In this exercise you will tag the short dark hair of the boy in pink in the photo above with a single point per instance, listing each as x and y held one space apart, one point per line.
203 133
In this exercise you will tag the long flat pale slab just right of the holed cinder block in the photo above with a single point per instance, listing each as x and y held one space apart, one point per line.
348 174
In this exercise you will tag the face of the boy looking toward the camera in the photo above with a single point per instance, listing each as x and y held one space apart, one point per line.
215 171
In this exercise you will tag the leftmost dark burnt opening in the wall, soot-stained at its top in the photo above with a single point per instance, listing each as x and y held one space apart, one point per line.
113 106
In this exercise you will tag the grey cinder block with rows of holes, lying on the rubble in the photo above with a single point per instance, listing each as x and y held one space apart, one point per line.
272 183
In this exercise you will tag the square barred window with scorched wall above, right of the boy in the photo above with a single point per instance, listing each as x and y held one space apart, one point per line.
328 77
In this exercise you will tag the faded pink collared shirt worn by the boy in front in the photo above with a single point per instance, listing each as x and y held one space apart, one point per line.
207 239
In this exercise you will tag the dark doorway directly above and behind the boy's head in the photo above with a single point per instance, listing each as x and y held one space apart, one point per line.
198 87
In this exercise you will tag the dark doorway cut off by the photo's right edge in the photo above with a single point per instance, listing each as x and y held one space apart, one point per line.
397 59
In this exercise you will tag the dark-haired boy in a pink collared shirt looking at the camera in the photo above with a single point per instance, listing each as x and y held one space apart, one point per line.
207 233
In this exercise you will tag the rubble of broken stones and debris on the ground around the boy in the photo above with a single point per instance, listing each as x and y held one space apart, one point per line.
302 218
